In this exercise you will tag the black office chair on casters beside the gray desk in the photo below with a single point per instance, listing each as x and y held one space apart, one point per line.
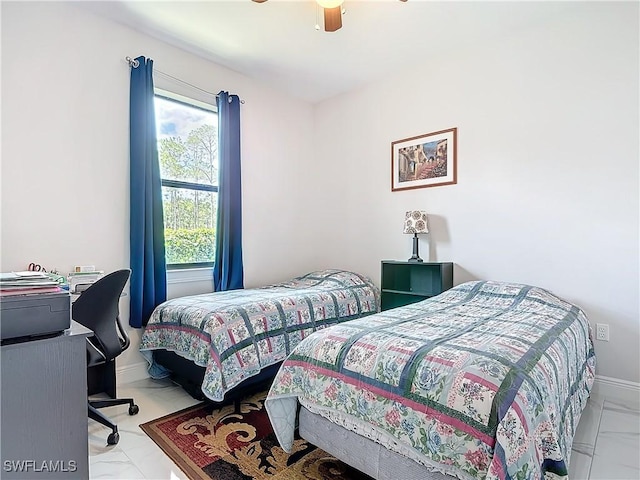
97 308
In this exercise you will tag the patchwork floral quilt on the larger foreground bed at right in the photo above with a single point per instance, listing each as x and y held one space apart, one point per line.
486 380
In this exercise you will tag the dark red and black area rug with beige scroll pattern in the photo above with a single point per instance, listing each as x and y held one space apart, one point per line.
230 443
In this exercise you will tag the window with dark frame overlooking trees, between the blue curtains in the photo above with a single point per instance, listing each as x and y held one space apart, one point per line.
188 153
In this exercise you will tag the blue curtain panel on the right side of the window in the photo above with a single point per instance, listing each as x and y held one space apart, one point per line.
228 271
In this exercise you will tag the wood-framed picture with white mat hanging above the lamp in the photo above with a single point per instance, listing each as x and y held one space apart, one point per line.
427 160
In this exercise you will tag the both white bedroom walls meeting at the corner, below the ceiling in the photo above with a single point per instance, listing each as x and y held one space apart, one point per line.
547 160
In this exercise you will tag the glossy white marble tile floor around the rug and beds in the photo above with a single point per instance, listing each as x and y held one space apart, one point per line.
606 445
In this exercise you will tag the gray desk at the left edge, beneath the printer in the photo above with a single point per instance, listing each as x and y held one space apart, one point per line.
44 407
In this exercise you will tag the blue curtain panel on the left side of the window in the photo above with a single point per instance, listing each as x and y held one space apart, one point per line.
148 284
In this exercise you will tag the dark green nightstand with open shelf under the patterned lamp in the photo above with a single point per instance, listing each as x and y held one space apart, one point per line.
409 282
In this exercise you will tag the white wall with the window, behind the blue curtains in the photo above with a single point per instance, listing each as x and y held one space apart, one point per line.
65 157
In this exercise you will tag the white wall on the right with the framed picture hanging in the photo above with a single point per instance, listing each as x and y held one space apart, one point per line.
548 154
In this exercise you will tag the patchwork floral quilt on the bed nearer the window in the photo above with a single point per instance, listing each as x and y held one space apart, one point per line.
236 333
